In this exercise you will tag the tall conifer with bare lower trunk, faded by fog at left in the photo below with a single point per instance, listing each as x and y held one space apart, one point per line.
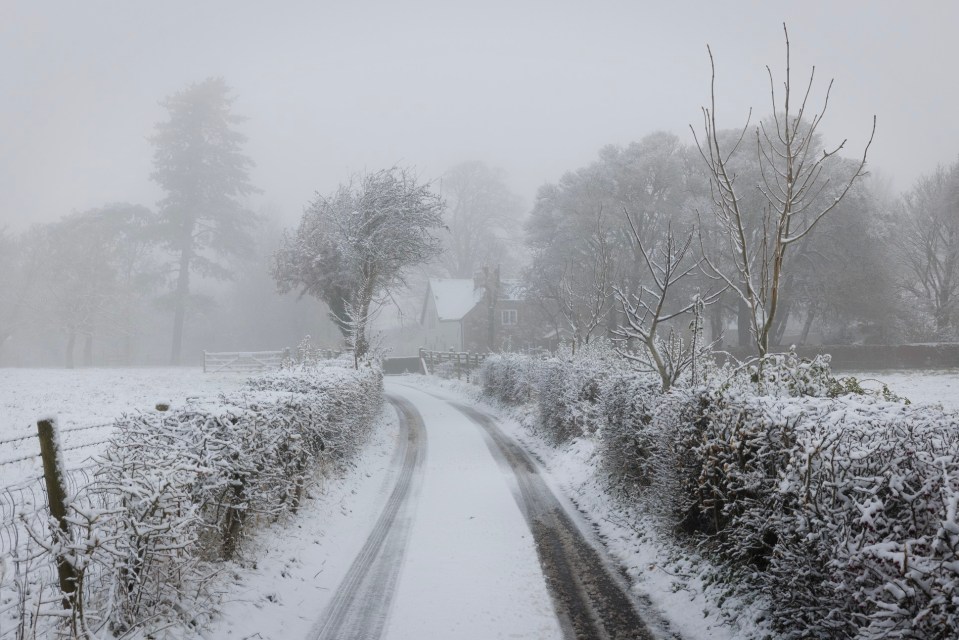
198 161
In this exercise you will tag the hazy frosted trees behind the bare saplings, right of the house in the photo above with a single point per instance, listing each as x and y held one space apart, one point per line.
879 268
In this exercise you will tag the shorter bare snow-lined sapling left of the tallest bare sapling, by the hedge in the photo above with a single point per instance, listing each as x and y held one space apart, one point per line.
651 308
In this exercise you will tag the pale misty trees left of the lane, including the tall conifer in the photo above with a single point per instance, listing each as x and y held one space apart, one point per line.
114 284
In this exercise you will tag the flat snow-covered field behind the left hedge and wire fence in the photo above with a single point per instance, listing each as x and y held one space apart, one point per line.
85 397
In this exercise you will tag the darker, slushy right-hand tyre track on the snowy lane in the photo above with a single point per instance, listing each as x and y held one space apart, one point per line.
591 600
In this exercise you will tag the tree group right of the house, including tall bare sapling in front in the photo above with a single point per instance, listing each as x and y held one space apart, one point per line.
795 242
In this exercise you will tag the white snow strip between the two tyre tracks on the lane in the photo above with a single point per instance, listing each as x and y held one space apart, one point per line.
471 570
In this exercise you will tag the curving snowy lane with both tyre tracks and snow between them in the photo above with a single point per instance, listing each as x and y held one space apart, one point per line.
473 544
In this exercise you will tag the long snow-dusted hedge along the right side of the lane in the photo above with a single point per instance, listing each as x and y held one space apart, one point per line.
840 507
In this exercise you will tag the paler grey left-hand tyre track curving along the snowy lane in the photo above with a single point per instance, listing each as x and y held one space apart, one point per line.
361 605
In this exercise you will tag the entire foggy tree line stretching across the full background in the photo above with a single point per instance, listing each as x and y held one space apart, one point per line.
757 236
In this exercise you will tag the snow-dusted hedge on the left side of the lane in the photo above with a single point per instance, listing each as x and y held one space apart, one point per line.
176 492
